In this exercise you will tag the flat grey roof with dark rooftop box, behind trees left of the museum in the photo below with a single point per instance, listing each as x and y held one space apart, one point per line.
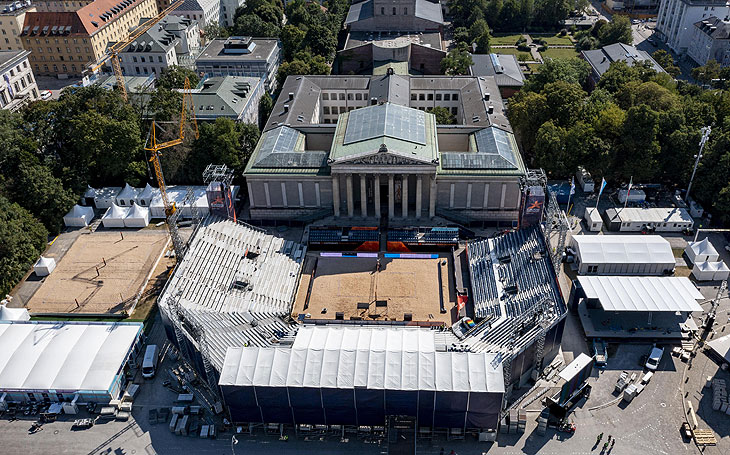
238 49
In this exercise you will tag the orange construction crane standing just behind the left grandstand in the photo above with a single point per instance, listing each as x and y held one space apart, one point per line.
155 149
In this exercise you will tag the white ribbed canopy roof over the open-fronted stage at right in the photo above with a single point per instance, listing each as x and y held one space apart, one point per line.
642 293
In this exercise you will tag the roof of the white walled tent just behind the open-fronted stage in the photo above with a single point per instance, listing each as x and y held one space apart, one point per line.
623 249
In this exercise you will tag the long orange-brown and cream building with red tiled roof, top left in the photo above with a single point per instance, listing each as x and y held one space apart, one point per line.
63 43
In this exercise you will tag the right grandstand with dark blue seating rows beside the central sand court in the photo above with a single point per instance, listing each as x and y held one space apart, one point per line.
517 302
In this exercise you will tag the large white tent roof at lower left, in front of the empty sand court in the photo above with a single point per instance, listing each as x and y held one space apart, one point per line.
63 355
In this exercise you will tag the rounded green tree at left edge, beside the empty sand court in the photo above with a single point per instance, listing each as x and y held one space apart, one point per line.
22 240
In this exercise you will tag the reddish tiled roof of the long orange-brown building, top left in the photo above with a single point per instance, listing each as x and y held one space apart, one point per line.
88 20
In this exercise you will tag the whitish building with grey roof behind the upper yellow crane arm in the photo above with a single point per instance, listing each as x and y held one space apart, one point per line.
166 44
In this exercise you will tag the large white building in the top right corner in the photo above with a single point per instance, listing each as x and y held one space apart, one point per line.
676 19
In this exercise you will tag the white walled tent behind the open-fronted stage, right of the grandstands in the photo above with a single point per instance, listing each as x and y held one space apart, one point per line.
622 254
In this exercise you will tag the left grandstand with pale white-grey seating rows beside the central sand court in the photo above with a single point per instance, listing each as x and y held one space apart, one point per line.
234 287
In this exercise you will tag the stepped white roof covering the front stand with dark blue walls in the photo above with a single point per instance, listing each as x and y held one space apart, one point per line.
376 358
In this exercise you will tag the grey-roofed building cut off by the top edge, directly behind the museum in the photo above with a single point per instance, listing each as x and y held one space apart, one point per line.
395 15
